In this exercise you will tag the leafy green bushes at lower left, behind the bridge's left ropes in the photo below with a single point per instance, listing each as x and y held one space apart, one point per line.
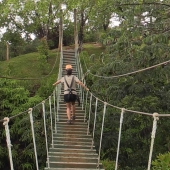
15 100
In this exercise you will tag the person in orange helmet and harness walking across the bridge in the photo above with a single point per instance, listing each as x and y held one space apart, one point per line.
70 94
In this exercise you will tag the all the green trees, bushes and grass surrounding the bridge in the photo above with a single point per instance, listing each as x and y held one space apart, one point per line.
140 40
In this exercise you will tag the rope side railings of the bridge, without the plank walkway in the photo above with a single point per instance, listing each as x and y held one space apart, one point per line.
51 106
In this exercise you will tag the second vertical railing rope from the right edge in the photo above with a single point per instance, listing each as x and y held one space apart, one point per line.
120 131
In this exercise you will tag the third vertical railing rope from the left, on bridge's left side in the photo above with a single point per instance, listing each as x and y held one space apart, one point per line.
45 130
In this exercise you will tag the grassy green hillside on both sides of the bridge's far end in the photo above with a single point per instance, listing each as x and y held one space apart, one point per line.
30 67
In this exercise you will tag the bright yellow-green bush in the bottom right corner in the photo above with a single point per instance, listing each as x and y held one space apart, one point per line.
161 162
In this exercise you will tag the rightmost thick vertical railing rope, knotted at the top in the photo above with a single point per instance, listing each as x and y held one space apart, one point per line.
155 115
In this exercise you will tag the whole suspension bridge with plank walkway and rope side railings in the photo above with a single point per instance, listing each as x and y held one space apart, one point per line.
72 146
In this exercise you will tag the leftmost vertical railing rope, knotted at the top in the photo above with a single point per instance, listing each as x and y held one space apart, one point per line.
8 140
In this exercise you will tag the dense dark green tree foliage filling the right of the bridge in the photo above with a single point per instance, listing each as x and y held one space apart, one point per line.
133 46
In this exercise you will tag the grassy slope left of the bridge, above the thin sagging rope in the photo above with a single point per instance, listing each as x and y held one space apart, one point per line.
28 66
